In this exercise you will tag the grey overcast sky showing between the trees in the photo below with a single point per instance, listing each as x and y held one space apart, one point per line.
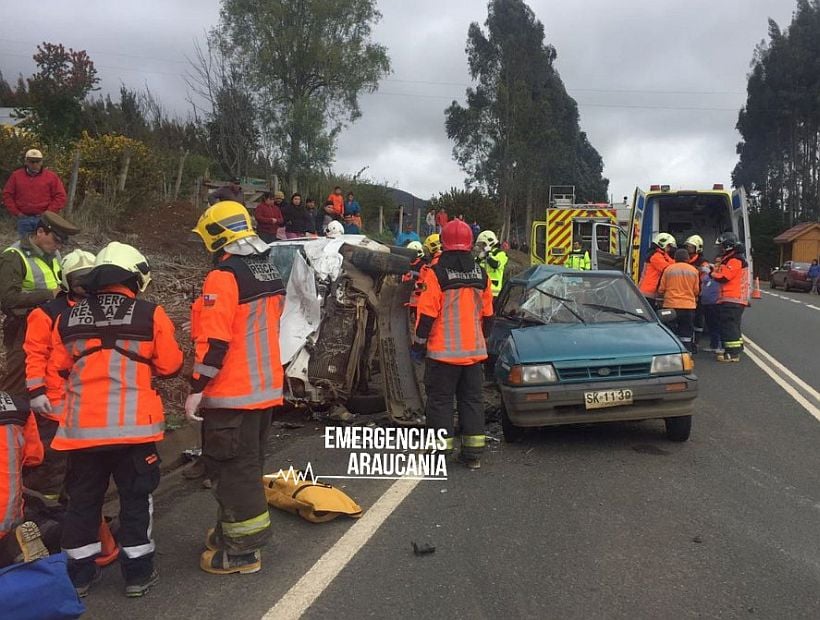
658 82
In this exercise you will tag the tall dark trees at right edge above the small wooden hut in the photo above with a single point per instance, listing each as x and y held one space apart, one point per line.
780 123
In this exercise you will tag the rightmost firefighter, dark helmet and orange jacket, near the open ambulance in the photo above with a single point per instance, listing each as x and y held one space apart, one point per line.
732 273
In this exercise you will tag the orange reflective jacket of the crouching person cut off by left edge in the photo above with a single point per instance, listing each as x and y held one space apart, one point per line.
19 445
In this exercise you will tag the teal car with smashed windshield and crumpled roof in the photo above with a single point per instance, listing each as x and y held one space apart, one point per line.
580 347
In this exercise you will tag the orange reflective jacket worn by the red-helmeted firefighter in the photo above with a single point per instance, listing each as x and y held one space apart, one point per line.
451 309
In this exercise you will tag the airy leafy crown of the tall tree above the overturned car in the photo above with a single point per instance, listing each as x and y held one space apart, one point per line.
308 60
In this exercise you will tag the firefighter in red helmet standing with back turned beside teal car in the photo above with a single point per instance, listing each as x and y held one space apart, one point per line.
449 330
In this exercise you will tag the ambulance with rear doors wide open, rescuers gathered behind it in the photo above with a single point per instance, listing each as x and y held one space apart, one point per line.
681 213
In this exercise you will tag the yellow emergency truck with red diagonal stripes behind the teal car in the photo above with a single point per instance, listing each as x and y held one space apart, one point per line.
566 222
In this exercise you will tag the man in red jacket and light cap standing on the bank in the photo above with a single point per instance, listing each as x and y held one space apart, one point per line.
32 190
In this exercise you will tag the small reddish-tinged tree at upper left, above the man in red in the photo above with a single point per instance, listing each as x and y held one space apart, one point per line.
64 78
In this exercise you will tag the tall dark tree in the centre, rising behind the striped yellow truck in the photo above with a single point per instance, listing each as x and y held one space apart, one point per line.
519 132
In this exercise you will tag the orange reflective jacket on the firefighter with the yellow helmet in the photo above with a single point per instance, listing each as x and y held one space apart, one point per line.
235 326
